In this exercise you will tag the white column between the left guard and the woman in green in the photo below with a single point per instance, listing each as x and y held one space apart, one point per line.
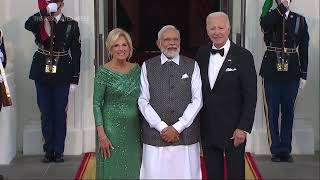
81 138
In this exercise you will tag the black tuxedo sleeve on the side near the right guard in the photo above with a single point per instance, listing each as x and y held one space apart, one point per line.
248 88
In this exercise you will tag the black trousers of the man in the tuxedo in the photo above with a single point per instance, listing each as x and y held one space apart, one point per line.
235 162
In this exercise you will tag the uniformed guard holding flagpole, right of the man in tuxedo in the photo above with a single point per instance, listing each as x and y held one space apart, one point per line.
284 70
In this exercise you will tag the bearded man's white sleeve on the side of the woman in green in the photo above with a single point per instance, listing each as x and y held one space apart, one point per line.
146 109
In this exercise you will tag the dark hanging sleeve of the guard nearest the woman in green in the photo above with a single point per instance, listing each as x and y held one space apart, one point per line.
75 49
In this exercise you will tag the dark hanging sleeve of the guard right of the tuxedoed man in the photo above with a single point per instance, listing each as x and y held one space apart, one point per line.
303 48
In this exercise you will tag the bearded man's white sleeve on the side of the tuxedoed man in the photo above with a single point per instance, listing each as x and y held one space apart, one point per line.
196 102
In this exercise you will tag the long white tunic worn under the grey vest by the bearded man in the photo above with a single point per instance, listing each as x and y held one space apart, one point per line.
171 162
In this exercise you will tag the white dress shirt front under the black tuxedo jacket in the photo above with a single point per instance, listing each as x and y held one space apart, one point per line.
215 63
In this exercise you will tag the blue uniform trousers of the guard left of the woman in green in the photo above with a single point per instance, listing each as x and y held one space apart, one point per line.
52 101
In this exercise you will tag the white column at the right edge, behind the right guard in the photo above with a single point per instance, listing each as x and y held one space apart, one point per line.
307 106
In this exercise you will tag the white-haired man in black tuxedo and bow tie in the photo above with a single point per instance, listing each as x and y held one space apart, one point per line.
229 99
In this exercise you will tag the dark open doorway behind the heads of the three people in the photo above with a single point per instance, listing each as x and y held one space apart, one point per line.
144 18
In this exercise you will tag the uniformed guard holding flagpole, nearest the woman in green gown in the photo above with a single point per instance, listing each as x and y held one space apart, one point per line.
54 76
